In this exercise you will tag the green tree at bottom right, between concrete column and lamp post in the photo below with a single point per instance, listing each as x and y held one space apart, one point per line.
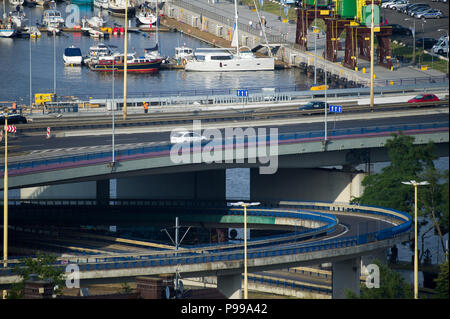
392 286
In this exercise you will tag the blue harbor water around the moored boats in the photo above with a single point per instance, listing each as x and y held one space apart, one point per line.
84 83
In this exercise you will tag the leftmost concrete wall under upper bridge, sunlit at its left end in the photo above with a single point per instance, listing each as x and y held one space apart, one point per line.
82 190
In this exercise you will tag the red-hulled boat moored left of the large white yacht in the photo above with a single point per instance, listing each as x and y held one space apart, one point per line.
135 64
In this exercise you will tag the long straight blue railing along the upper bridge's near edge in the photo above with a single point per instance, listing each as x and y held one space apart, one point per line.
104 157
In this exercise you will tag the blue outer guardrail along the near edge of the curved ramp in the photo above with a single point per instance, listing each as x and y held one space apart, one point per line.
182 258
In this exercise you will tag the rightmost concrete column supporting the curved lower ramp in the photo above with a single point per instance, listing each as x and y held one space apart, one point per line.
346 275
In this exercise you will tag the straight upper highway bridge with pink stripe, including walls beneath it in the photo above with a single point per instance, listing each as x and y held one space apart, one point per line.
146 166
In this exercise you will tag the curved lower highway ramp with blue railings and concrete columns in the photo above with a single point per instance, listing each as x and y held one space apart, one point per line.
334 234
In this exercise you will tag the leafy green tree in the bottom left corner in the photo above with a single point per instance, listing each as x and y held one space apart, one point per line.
43 266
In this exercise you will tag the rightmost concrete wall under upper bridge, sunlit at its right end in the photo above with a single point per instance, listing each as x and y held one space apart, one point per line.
306 184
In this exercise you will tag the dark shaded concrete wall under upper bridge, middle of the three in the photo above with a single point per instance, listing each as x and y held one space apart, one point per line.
190 185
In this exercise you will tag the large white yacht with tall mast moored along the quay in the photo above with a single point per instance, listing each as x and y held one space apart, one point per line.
224 60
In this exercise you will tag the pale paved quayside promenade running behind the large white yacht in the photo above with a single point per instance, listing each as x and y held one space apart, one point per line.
286 32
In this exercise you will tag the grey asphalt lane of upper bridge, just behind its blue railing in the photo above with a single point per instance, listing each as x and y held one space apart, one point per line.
30 143
